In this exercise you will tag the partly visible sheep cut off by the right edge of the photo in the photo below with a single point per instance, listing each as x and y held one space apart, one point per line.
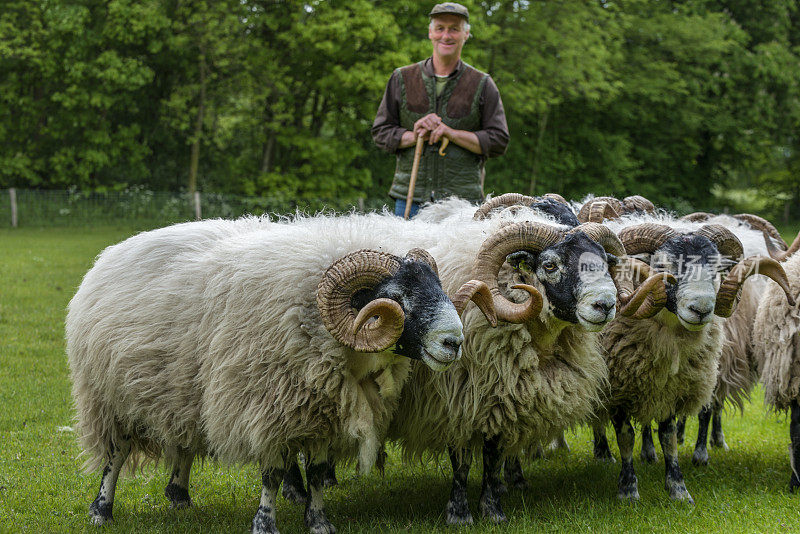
777 346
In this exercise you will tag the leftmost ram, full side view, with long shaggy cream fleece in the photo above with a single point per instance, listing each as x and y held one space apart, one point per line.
248 341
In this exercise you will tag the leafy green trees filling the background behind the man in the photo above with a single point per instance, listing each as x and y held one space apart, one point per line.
693 104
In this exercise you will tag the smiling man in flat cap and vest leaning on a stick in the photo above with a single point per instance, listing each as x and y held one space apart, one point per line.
441 97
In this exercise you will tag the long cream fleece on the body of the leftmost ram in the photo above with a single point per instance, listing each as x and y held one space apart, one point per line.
206 336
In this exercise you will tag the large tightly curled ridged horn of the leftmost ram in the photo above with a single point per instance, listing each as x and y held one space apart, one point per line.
363 269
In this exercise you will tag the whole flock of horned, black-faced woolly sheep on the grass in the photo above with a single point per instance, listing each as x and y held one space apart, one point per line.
490 328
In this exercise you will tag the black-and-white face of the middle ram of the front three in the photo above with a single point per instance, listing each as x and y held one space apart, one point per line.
574 275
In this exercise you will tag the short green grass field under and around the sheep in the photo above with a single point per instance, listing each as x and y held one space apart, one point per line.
42 487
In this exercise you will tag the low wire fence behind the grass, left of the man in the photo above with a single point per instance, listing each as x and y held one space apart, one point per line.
142 207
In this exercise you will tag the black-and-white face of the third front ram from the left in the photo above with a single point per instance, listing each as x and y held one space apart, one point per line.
695 262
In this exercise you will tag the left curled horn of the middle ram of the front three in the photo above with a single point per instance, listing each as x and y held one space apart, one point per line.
529 236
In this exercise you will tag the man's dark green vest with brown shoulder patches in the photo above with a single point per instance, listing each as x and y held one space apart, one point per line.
459 171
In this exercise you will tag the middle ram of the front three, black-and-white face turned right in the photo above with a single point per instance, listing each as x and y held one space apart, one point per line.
517 384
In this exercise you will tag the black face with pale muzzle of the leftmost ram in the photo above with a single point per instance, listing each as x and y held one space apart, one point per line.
432 331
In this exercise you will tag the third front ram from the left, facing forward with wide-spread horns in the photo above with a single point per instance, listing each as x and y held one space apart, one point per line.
667 365
